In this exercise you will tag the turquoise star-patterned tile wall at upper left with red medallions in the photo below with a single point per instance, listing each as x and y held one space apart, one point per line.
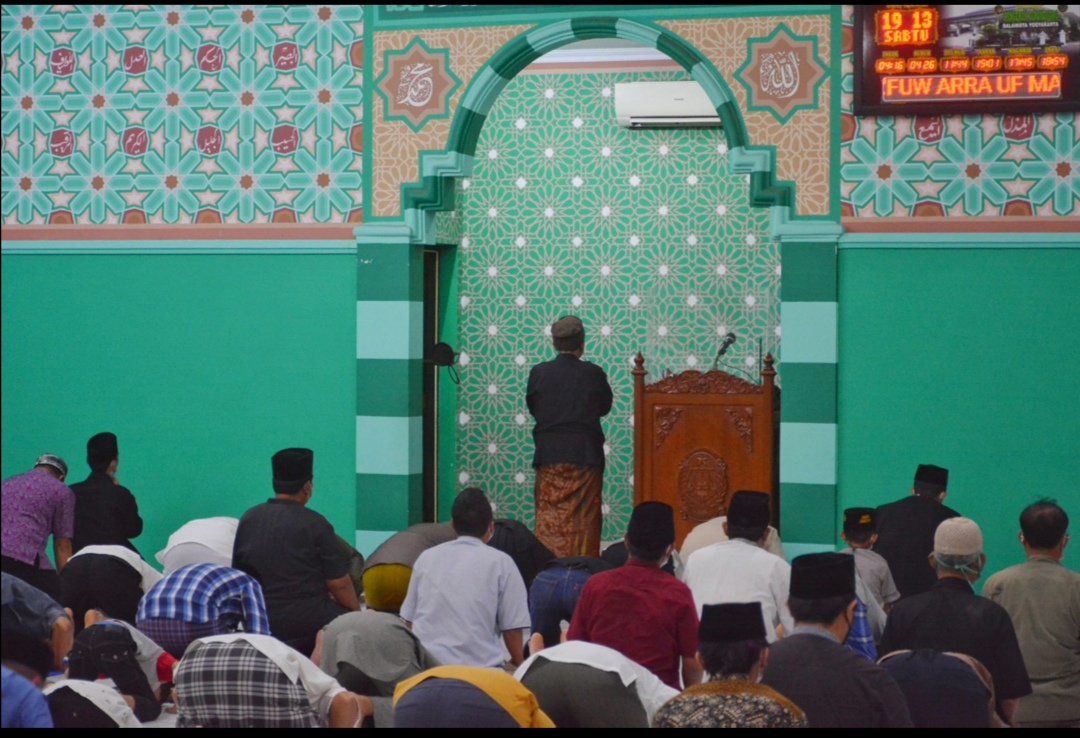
182 114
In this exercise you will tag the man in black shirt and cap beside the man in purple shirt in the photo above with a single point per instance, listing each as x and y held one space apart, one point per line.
106 514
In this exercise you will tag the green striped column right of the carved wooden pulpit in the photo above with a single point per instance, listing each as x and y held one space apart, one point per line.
808 317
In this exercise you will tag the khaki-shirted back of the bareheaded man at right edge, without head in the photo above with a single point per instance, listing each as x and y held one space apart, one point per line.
1043 598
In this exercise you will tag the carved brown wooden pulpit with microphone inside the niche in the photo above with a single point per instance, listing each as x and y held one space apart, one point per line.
700 437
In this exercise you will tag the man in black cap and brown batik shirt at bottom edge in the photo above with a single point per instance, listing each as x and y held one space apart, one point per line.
734 651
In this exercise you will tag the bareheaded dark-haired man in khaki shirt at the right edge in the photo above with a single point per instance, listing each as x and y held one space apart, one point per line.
1044 600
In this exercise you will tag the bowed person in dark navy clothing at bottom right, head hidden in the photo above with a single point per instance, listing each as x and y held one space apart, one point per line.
943 691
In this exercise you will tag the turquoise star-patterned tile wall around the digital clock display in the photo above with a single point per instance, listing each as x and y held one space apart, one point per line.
956 166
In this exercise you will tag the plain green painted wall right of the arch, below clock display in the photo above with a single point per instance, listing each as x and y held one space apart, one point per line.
966 358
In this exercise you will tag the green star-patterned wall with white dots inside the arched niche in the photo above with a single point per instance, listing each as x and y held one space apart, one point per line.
645 235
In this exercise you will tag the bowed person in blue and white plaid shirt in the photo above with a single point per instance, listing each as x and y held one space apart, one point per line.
199 601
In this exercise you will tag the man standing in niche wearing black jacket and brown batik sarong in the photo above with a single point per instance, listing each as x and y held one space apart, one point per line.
569 397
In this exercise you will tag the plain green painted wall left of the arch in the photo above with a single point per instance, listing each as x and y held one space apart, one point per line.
202 366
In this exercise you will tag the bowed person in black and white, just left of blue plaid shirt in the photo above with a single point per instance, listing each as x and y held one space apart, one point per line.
109 579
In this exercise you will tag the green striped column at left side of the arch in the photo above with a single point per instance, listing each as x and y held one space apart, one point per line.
389 390
